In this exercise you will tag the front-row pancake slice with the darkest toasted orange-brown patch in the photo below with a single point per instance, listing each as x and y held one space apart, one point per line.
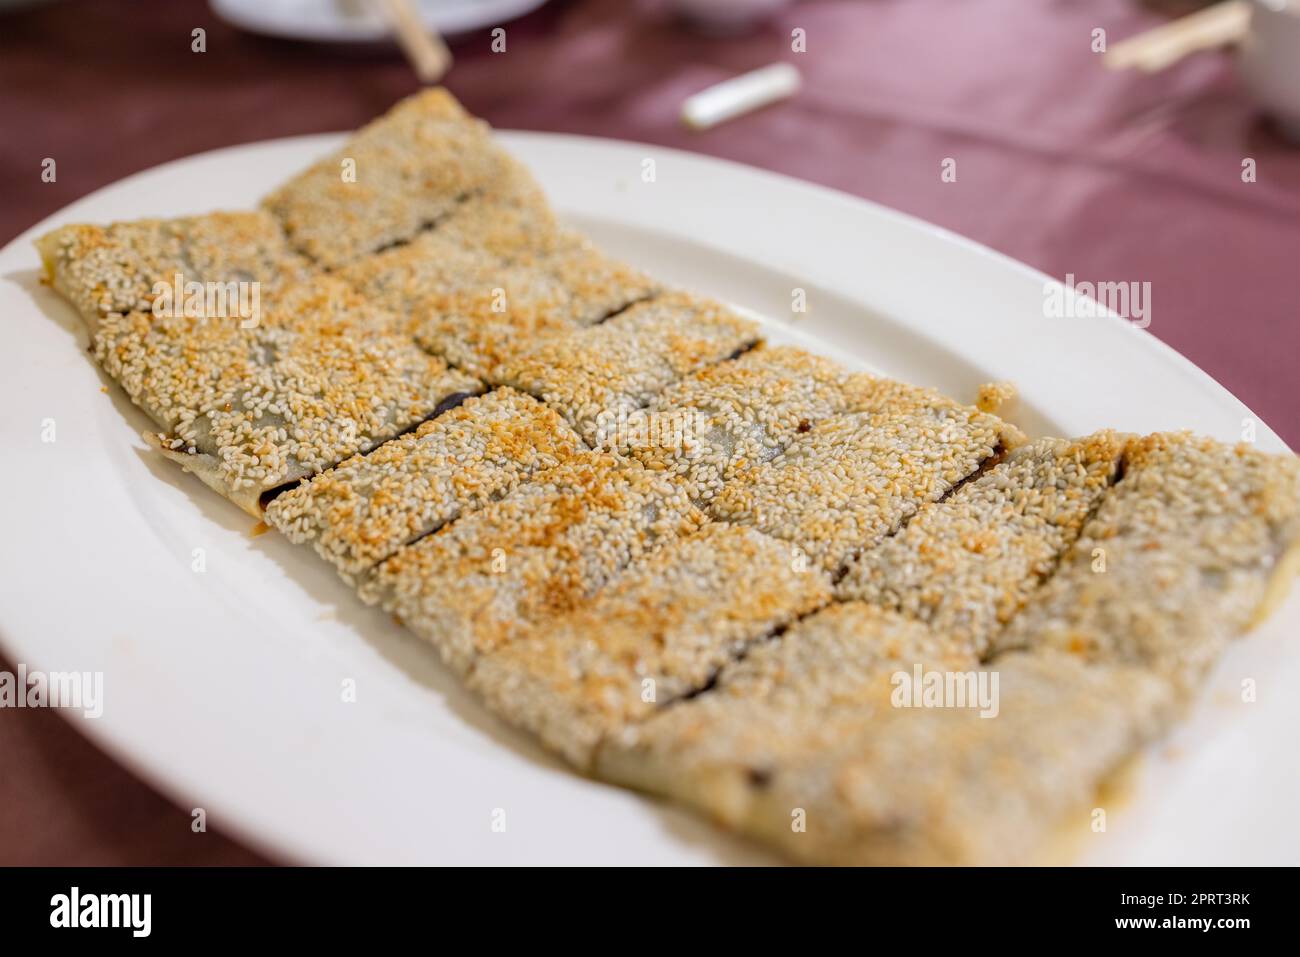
486 579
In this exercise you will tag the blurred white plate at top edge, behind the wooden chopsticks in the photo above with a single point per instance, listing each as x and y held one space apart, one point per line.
358 21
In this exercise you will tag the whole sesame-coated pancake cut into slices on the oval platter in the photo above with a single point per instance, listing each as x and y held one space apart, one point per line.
846 616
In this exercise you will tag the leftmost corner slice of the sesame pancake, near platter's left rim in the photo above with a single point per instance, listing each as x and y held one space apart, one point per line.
241 258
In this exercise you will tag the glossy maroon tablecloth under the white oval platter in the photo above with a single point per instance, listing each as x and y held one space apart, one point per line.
1111 177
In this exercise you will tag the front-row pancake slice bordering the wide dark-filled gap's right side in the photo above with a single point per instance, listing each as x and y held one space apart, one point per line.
362 512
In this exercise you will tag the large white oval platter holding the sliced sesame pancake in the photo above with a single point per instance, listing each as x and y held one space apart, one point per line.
224 688
